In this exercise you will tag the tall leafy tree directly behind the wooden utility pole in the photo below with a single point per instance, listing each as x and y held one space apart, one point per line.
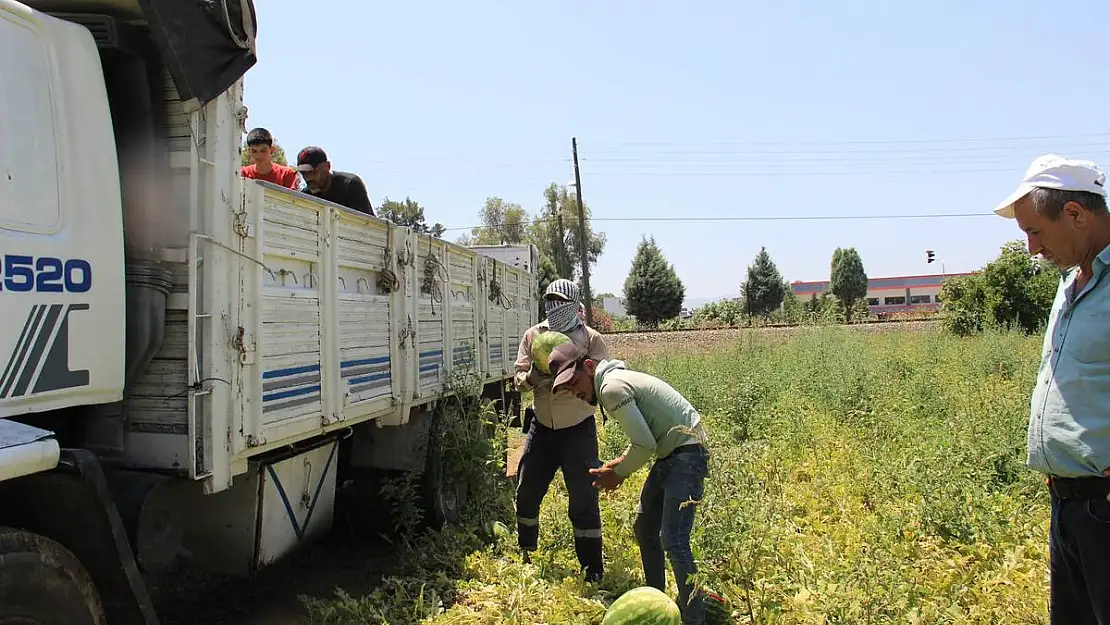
556 233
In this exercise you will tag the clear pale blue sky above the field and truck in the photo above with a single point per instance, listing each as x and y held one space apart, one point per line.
700 110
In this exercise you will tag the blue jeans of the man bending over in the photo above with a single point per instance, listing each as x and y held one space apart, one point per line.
664 521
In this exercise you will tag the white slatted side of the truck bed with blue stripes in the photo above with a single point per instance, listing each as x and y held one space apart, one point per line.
392 295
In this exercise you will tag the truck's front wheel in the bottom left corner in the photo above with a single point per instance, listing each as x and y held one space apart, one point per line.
43 583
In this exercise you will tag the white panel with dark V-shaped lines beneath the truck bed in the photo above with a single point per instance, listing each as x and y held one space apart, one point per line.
298 500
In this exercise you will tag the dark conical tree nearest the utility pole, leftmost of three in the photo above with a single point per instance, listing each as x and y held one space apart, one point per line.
653 291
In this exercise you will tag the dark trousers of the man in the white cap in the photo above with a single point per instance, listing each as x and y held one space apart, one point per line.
1079 556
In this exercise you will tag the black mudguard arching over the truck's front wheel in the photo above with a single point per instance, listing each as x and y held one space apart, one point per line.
73 506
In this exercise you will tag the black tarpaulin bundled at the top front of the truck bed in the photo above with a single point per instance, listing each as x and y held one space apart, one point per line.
207 45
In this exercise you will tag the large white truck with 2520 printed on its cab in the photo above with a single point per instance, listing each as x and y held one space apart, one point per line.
191 361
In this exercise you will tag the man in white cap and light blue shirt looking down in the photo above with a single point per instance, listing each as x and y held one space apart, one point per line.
1062 207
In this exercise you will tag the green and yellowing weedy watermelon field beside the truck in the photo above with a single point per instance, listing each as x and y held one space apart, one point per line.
855 478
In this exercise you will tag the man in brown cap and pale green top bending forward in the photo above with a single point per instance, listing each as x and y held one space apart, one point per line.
660 422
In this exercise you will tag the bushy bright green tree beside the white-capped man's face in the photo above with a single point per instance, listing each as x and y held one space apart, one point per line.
1014 290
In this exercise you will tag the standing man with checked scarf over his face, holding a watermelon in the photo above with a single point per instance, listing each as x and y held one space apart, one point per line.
562 435
